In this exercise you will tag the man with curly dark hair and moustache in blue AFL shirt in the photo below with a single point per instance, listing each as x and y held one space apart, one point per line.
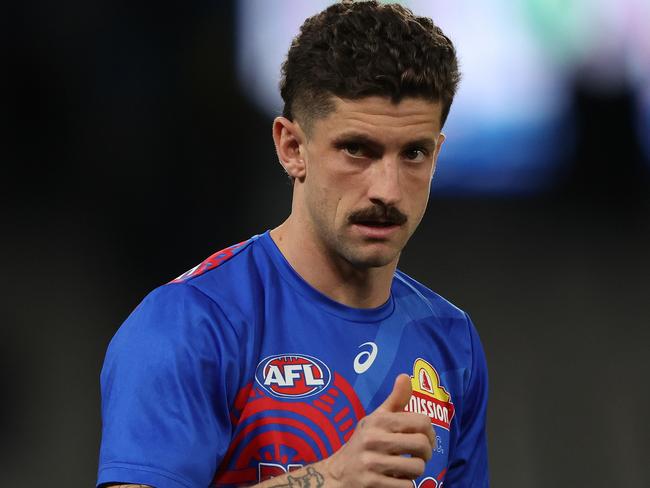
302 357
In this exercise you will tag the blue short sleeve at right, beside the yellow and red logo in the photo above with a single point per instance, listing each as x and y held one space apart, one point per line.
468 465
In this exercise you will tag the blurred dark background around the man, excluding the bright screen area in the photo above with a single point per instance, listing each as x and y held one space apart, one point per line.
131 152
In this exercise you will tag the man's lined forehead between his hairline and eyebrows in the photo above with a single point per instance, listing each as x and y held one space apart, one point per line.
379 116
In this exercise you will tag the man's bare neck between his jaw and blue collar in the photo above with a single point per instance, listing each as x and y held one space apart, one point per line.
331 275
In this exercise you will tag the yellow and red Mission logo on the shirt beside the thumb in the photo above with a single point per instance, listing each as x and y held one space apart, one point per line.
429 396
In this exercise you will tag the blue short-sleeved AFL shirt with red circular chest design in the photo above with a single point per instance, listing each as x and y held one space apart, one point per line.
239 371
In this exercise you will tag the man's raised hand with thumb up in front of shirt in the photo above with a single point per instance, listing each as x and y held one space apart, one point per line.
375 454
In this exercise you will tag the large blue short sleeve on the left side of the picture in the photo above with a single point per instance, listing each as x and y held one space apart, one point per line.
165 385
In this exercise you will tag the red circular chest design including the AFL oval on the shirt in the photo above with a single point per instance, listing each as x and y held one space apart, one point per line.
275 434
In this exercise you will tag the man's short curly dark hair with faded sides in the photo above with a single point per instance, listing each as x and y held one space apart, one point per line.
358 49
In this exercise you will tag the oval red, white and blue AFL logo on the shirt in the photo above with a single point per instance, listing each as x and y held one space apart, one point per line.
292 375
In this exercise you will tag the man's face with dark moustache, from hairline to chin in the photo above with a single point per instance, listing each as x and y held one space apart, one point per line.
369 166
